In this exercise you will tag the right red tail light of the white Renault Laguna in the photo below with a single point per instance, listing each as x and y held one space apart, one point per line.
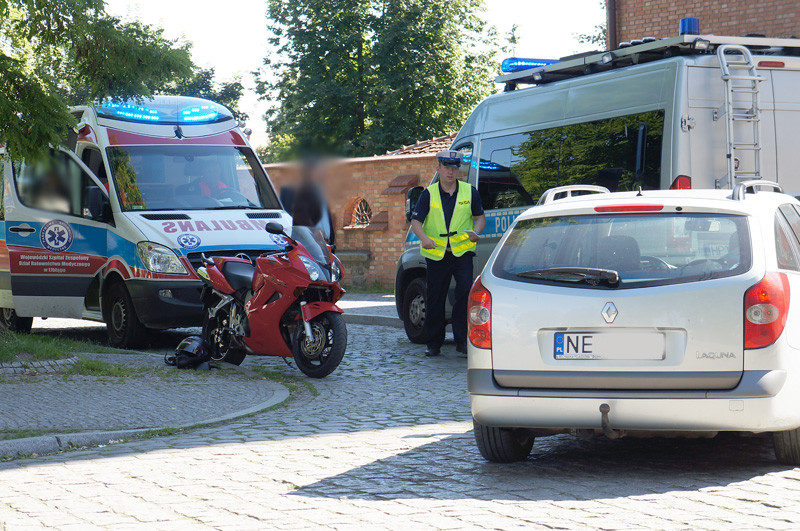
765 308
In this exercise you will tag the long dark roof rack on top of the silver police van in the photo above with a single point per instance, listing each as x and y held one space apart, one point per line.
584 64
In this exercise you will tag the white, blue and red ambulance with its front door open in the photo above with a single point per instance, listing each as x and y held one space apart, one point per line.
113 227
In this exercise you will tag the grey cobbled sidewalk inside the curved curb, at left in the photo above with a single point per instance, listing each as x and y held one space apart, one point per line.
163 396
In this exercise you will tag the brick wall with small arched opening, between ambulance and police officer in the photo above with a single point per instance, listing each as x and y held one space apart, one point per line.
383 183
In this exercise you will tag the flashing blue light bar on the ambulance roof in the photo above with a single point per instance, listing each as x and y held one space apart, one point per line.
168 110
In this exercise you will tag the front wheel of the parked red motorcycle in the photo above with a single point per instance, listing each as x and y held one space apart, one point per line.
319 355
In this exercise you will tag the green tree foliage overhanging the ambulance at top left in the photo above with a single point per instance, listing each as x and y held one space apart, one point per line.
57 53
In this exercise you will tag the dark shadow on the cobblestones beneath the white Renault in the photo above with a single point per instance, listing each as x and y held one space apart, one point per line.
560 468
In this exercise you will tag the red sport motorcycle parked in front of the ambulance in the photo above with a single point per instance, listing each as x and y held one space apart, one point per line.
284 305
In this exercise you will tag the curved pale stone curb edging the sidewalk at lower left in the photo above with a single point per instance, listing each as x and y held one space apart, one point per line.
47 444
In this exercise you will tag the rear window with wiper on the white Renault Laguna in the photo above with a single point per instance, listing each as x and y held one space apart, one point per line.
642 249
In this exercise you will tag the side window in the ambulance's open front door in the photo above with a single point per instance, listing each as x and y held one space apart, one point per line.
56 184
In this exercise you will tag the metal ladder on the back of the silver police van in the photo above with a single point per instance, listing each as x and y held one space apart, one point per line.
740 77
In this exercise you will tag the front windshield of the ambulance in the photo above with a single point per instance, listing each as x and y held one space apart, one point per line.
189 178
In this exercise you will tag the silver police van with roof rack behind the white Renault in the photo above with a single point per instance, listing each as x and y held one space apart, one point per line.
693 111
